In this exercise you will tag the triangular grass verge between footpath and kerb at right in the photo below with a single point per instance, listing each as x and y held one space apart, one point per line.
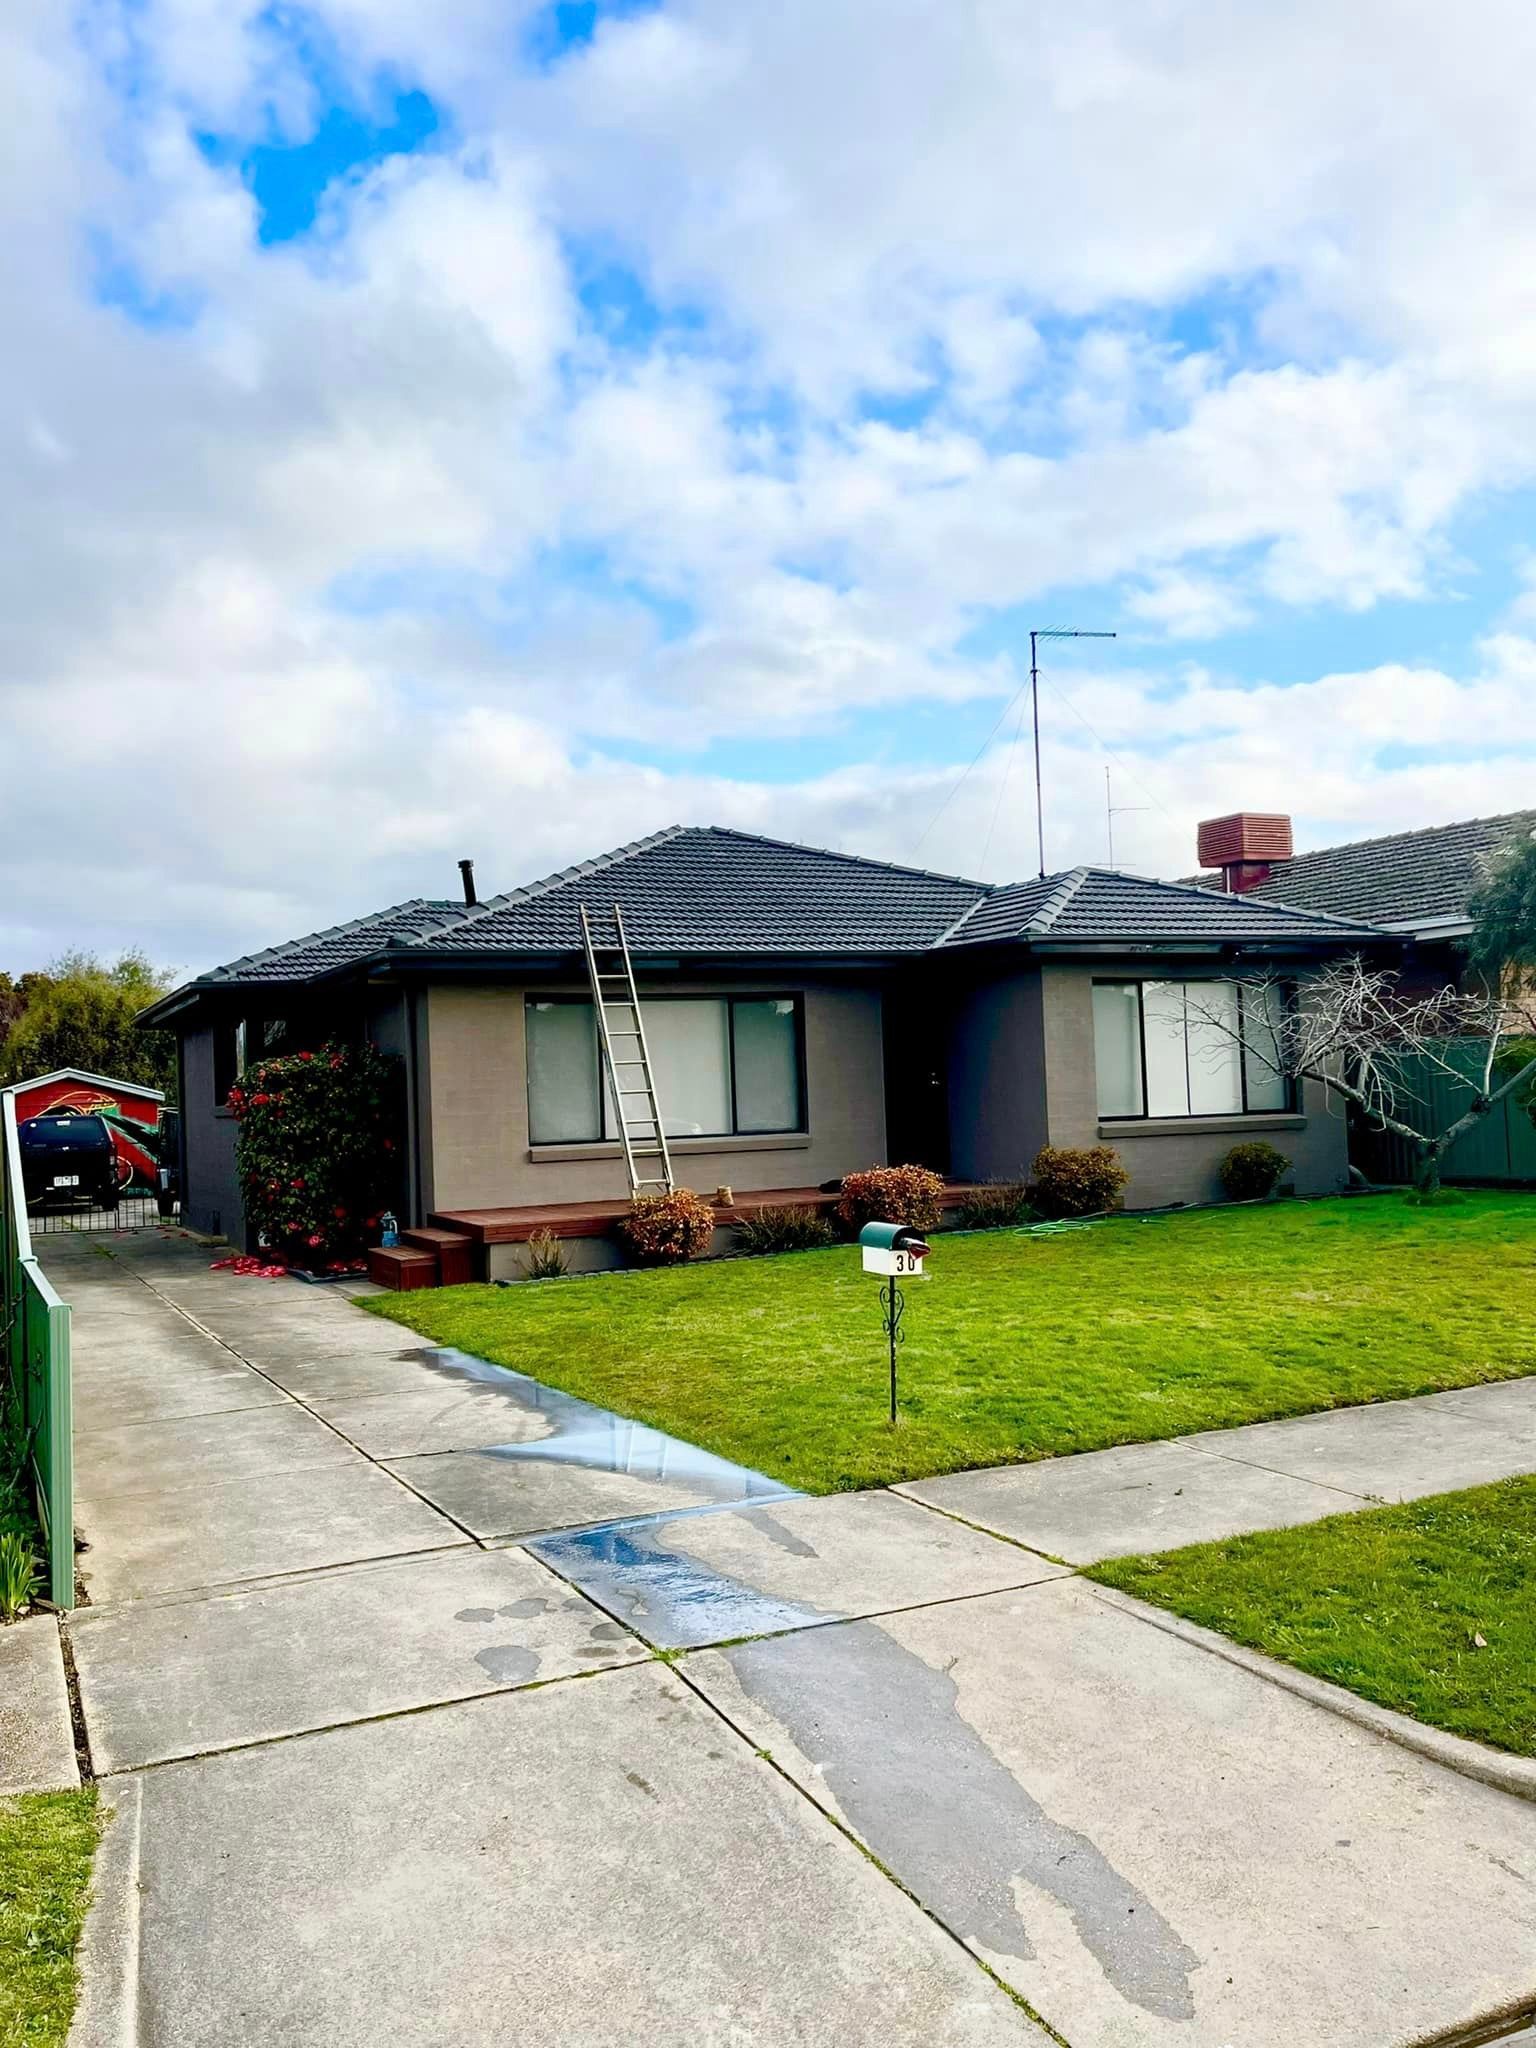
1390 1603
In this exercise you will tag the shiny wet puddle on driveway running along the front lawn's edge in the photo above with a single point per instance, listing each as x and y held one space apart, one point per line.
599 1441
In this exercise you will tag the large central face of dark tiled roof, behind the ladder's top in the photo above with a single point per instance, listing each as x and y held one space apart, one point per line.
701 890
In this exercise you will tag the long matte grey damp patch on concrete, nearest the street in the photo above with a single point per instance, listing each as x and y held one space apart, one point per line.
933 1801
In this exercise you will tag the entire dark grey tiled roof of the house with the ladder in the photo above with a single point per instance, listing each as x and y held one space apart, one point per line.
706 892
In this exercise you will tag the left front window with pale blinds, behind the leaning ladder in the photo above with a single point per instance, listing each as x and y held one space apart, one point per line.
724 1066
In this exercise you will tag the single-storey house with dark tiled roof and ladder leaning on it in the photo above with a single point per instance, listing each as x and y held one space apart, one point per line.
810 1013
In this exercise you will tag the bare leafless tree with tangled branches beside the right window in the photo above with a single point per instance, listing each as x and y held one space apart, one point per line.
1353 1029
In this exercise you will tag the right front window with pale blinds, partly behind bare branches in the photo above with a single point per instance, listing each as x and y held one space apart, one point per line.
1189 1048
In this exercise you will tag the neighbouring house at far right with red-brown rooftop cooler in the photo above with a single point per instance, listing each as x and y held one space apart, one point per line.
1414 884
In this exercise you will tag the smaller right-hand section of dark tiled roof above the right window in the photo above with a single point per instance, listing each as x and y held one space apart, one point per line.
1101 906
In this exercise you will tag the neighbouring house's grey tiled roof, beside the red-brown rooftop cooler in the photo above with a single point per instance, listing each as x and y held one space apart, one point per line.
1406 880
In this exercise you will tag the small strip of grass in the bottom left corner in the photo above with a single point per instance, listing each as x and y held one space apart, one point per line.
46 1848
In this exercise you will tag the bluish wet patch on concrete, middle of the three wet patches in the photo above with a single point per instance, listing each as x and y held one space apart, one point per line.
665 1594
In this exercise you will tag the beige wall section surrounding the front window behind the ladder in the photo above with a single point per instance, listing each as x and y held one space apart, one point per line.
476 1105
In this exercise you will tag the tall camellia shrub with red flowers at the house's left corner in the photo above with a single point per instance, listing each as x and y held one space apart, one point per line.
321 1152
